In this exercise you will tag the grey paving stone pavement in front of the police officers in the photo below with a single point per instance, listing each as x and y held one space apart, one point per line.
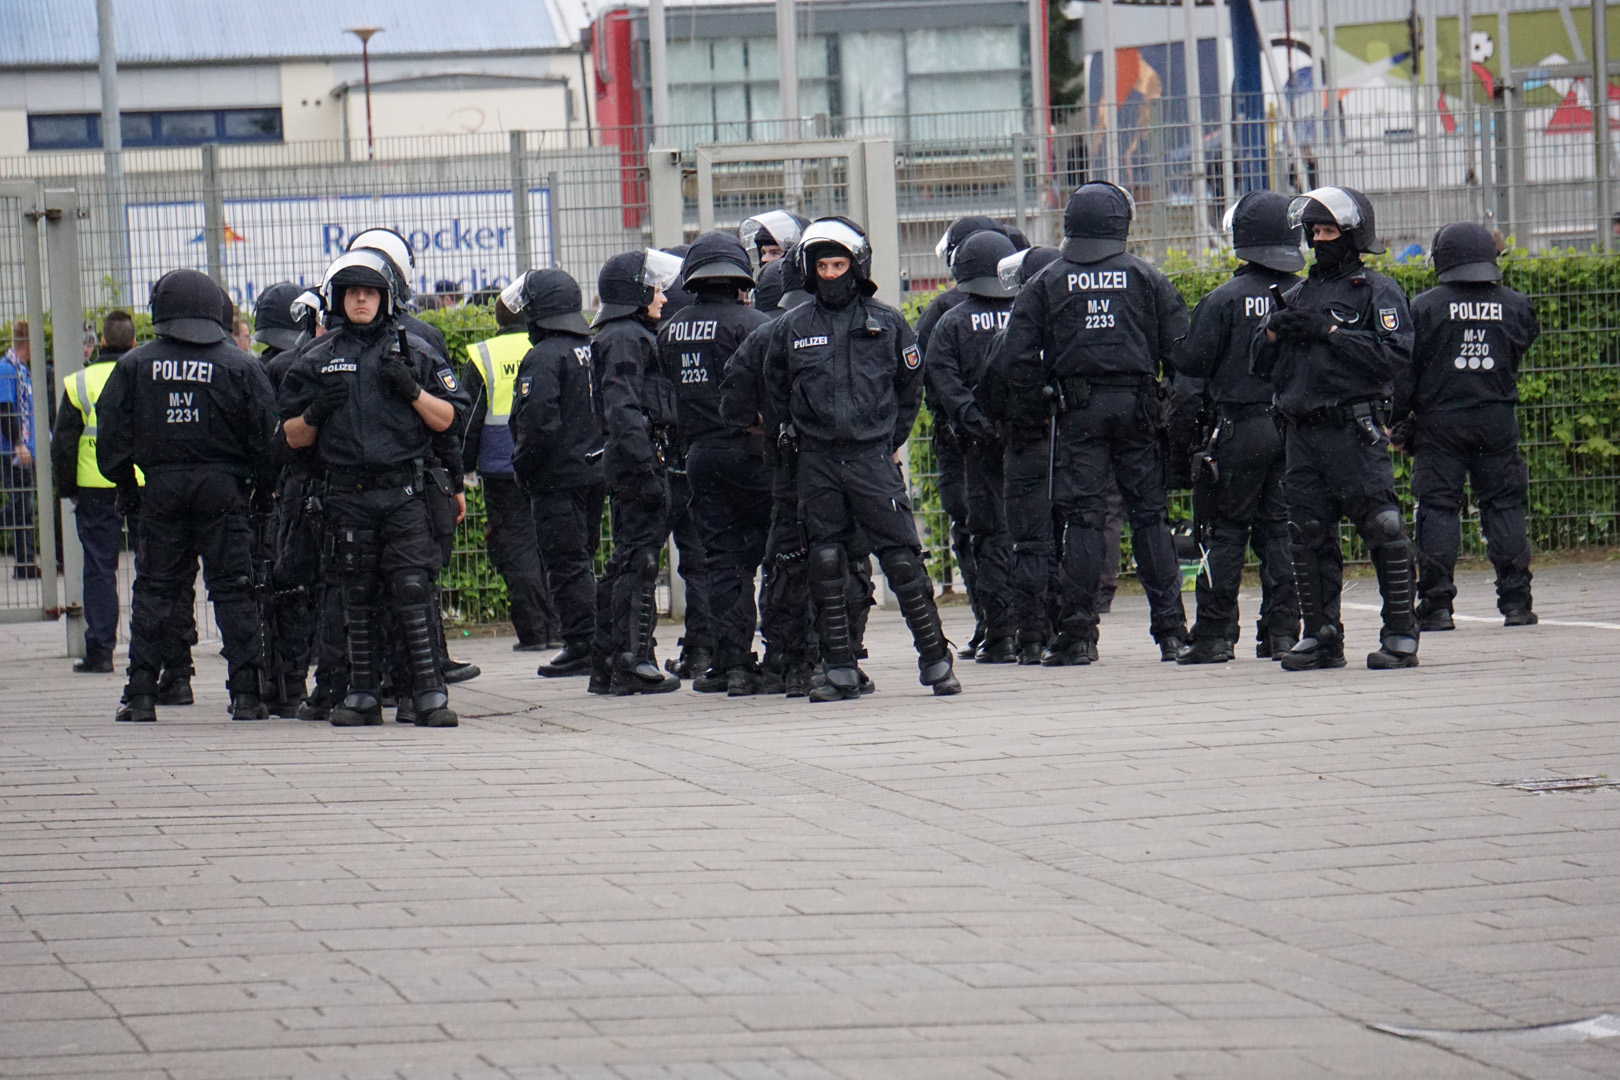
1128 870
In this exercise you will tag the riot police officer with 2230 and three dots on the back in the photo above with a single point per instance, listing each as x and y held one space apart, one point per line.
1472 334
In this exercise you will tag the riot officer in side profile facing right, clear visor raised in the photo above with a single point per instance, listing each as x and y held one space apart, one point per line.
639 407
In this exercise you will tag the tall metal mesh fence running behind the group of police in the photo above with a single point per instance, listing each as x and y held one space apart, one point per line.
480 208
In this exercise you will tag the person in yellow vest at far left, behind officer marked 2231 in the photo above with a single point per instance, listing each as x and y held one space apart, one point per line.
95 500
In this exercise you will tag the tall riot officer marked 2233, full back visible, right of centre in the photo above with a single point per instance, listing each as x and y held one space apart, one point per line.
1098 328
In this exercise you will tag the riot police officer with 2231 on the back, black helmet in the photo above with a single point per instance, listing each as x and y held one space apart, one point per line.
194 414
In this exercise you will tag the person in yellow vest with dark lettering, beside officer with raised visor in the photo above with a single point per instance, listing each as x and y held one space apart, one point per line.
492 378
